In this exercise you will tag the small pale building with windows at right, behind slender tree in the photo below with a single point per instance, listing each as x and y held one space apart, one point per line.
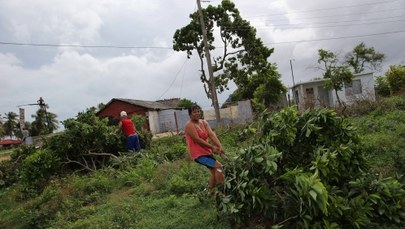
313 94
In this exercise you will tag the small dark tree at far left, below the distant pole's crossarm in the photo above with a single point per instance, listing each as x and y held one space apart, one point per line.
44 123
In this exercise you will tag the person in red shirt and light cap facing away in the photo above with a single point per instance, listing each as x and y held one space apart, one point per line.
129 131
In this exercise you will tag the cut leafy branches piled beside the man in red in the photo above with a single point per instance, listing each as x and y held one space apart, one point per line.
87 143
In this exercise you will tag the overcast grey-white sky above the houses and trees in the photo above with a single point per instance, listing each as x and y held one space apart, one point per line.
137 60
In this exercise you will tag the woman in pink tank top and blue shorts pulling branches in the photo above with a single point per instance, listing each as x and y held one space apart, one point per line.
197 132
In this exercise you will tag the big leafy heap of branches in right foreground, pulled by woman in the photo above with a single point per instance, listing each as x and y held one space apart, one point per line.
297 174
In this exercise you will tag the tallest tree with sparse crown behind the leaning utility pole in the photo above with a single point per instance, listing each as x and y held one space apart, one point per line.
243 58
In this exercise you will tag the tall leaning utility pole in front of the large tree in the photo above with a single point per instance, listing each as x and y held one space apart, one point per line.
210 72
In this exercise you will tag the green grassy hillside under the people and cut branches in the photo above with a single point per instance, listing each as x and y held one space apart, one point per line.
162 188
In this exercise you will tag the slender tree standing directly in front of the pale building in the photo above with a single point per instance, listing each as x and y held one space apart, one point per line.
336 74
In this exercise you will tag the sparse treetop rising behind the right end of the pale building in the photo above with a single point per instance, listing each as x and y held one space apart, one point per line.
363 57
